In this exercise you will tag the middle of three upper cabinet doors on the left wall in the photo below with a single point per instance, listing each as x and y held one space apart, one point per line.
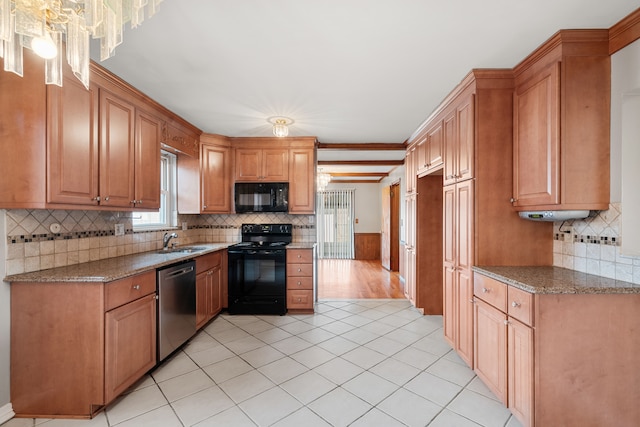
117 151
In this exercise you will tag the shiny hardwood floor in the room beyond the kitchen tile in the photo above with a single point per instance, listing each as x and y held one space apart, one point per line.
344 278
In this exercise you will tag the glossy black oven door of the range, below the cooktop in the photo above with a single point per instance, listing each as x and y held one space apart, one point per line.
257 281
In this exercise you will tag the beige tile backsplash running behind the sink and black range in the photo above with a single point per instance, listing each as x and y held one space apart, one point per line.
34 241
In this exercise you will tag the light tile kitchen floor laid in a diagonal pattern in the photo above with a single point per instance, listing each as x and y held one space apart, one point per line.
353 363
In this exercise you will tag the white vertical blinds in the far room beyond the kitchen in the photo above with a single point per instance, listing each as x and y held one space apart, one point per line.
335 223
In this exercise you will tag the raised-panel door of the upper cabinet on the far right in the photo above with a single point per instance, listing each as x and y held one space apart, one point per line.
536 169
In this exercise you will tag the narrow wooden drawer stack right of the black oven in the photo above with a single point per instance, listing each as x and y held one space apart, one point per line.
300 280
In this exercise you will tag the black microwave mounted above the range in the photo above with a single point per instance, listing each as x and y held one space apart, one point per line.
261 197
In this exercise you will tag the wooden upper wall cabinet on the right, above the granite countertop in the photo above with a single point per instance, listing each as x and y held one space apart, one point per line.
561 124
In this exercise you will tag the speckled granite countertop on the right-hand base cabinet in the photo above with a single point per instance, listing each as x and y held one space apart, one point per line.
556 280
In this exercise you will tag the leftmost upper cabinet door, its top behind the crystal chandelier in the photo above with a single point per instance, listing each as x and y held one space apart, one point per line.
72 143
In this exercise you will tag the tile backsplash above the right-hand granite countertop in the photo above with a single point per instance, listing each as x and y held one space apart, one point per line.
592 246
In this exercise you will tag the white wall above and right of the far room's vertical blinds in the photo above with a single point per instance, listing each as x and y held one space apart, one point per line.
368 206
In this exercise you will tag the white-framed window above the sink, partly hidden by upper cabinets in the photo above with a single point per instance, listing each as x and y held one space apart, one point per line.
167 215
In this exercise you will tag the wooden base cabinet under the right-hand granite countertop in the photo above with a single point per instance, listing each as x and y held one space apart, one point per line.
559 359
